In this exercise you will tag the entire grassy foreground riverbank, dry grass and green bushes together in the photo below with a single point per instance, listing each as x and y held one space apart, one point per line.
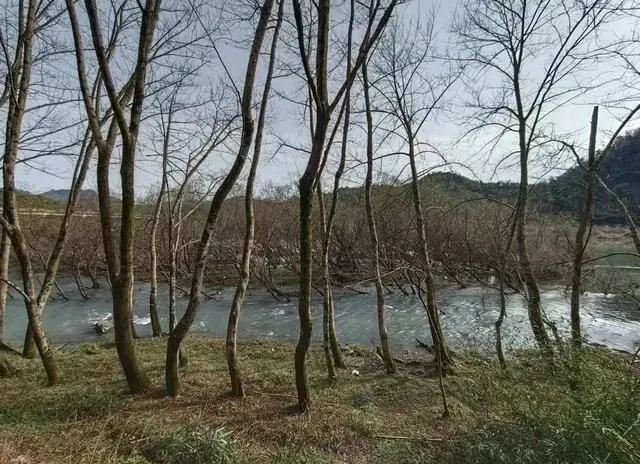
526 415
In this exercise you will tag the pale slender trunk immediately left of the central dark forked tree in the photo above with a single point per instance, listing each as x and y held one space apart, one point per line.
235 375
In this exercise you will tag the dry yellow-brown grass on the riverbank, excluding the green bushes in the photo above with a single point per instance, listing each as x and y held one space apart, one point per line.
91 419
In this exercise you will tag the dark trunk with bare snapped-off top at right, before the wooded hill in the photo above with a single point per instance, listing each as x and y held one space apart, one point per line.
581 239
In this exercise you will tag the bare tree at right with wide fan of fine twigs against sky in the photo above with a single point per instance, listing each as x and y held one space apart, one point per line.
536 51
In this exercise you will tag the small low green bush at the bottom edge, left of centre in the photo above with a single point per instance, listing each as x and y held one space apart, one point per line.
196 444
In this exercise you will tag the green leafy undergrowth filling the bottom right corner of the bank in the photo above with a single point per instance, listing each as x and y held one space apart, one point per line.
597 424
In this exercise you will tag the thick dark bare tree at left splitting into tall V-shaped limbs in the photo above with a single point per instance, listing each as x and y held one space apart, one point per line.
119 265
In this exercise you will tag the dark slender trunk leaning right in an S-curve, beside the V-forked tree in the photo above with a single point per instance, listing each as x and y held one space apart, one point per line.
182 328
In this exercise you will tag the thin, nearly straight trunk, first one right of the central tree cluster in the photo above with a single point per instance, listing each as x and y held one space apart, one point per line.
382 325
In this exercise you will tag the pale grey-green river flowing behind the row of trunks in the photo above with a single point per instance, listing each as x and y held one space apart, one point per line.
468 317
